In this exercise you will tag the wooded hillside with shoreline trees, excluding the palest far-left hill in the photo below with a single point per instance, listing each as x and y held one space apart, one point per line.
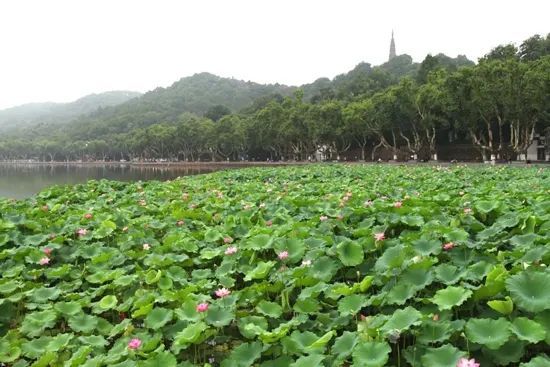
405 108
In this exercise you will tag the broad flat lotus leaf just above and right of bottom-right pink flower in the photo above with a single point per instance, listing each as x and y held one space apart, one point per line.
491 333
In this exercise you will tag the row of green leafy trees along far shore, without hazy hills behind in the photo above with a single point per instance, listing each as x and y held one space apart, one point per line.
497 106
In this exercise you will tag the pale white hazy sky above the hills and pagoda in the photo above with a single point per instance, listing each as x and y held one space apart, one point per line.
60 50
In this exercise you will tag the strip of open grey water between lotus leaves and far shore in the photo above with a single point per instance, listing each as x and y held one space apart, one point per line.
24 180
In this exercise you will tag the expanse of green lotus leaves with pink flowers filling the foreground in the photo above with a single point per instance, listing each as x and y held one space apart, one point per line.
274 267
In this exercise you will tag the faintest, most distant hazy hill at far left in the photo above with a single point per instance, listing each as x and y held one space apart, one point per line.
32 114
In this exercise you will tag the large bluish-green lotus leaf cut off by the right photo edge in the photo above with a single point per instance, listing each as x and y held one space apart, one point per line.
529 290
